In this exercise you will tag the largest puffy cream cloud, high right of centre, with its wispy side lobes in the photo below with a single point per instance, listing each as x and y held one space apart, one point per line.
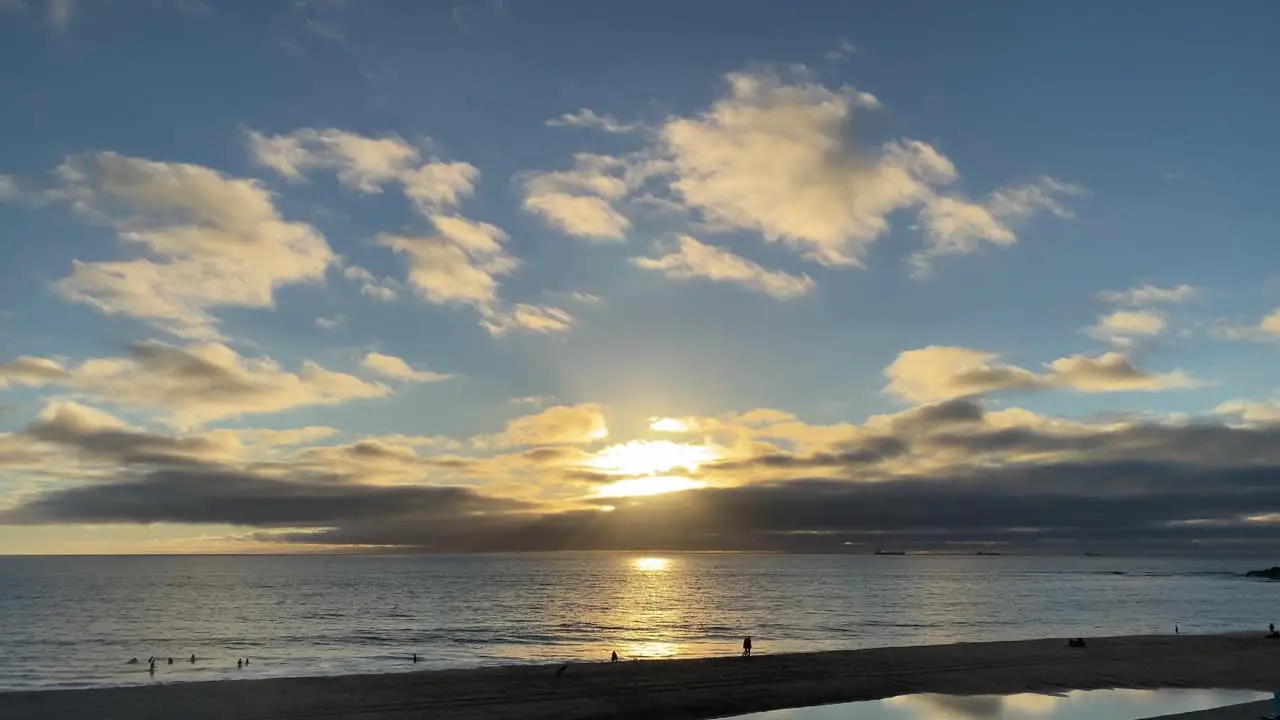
775 154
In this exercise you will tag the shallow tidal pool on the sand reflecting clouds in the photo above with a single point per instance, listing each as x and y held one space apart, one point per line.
1075 705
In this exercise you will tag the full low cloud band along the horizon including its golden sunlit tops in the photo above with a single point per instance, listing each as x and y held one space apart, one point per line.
939 476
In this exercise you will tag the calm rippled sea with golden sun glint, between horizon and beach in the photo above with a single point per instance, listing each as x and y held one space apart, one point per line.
75 622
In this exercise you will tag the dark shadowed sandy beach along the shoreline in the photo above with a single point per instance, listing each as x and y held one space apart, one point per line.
693 690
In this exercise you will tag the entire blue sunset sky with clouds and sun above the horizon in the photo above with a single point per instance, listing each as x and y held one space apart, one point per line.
377 276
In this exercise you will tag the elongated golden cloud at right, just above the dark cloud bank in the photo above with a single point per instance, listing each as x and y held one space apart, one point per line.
944 373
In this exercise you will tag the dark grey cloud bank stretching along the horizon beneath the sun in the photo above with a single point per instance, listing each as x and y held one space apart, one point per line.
1144 489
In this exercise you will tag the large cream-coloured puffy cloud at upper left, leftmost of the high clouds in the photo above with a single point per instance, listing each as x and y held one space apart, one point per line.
205 241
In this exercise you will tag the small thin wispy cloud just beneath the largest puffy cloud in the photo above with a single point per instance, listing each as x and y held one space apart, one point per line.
693 259
